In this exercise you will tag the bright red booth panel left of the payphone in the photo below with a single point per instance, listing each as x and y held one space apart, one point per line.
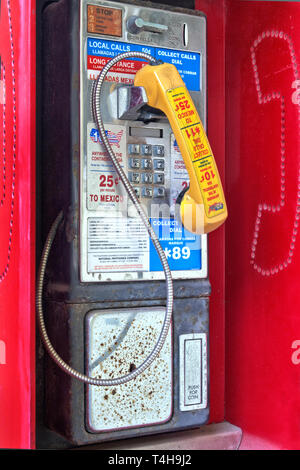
17 215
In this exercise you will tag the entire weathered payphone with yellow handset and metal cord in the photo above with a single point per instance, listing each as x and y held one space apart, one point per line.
127 166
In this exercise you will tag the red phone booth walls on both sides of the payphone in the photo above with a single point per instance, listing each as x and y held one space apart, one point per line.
261 78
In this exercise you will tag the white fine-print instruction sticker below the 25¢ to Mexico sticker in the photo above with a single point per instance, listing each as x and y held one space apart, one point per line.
117 245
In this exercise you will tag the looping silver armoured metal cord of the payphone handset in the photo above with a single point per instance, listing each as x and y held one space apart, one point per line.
96 96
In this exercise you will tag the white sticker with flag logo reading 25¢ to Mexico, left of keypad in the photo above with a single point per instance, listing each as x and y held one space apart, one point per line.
105 191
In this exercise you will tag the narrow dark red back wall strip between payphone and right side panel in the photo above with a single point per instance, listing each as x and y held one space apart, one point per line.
215 14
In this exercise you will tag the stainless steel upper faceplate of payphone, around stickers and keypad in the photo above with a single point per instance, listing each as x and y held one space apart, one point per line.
185 32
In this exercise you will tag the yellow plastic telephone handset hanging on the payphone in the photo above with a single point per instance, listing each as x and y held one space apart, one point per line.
203 207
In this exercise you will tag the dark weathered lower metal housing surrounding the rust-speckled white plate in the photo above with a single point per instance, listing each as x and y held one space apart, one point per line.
65 402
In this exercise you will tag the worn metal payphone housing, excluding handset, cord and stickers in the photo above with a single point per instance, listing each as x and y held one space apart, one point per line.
124 306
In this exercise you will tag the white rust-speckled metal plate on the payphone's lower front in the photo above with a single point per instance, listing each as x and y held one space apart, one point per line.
118 341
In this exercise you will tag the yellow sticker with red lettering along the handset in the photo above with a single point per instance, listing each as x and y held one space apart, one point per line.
199 150
